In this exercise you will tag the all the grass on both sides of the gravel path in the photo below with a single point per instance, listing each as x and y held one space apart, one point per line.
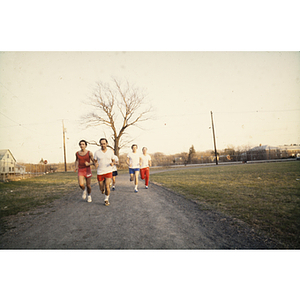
266 196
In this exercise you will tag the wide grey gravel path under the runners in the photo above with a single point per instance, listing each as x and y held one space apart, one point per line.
150 219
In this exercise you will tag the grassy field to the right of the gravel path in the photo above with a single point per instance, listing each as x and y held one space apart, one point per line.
266 196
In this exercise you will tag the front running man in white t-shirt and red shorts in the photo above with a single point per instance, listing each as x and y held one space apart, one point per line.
104 159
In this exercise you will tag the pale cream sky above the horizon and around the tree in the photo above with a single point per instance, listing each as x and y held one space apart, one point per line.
254 96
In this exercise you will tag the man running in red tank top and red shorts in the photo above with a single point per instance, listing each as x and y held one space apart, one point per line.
84 159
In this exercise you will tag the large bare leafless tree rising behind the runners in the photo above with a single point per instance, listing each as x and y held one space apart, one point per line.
118 107
